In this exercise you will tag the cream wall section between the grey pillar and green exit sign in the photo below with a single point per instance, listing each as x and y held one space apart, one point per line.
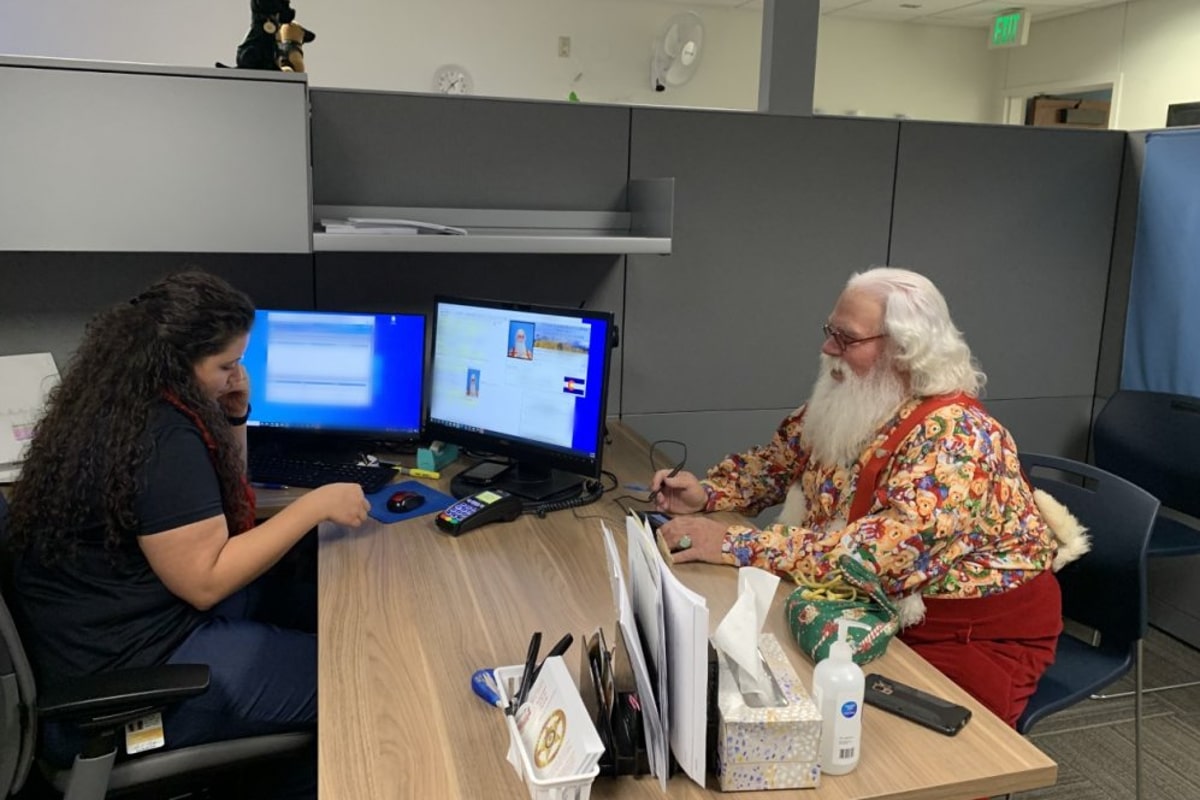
926 73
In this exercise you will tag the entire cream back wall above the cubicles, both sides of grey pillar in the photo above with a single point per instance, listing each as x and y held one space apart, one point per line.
512 50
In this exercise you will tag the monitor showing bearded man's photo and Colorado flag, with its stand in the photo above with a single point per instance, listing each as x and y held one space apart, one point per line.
526 383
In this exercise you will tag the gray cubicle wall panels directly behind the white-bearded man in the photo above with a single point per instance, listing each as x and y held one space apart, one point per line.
772 215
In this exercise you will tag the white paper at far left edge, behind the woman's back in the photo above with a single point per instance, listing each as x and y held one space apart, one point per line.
25 383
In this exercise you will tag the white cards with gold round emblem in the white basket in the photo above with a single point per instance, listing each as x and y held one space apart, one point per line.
556 730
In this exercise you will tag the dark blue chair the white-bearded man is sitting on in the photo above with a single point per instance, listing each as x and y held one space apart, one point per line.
1105 591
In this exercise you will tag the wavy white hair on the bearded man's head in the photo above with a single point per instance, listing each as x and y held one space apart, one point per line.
925 341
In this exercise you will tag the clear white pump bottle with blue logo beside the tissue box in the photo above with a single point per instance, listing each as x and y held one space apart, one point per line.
838 688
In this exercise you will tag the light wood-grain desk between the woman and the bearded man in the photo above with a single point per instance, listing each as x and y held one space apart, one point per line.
409 613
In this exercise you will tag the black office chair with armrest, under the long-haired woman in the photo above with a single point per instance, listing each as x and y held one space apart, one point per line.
100 707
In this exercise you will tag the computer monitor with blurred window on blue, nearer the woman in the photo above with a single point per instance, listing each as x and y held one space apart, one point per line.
329 380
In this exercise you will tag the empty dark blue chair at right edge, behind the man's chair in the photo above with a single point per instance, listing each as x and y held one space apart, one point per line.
1154 440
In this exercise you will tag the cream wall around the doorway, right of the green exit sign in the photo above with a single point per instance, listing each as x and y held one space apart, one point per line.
1150 50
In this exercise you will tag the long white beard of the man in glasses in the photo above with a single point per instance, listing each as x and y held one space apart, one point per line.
844 417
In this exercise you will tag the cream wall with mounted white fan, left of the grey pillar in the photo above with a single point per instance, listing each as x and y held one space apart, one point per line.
511 49
